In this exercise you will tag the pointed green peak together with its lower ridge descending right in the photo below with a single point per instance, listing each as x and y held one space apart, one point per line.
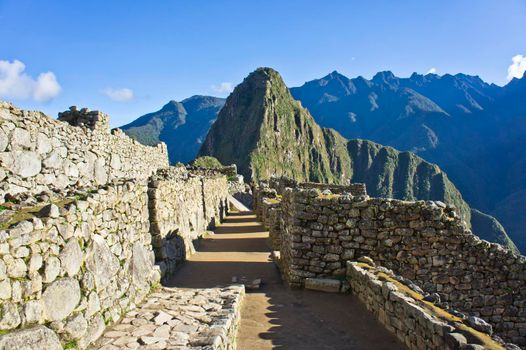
265 131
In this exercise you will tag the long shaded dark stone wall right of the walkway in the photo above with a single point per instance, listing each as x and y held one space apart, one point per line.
425 242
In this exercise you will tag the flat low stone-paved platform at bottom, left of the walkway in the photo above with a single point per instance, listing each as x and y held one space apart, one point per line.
173 318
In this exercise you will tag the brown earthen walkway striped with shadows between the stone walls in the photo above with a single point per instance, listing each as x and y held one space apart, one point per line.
275 317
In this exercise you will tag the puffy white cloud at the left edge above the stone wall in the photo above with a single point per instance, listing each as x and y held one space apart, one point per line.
16 84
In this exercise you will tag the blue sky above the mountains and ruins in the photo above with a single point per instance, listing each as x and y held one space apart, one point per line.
128 58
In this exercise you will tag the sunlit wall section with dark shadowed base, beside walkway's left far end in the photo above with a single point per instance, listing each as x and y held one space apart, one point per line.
183 206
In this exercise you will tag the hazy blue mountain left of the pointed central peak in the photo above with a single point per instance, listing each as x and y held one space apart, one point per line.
181 125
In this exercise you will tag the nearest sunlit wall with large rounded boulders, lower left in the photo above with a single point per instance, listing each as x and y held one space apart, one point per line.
77 265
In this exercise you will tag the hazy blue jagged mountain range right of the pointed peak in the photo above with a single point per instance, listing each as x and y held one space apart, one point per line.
475 131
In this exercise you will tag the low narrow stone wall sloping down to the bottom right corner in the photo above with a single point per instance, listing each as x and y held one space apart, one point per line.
417 323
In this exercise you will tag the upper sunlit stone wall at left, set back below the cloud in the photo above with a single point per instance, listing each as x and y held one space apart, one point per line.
38 153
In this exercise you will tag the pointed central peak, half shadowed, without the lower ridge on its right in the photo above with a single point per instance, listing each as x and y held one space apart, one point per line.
265 131
